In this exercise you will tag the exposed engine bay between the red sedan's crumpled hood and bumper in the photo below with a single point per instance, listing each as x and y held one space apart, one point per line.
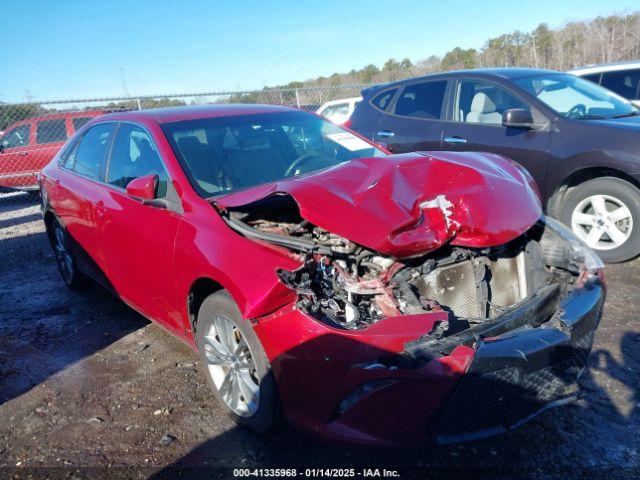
349 286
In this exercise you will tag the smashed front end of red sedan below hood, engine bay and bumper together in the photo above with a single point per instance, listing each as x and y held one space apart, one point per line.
455 342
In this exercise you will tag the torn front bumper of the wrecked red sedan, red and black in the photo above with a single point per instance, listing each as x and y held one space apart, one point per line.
400 390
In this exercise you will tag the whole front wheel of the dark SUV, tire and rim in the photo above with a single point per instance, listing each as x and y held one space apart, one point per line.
605 214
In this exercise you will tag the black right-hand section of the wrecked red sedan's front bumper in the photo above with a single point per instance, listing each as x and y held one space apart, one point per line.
517 375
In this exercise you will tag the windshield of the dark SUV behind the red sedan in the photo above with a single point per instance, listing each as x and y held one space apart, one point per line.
574 97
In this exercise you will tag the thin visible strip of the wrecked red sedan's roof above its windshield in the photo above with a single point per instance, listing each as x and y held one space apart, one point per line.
177 114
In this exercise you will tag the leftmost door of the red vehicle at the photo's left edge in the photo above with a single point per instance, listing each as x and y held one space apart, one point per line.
14 153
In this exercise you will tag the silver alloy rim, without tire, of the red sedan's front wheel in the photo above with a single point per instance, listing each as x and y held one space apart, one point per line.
232 367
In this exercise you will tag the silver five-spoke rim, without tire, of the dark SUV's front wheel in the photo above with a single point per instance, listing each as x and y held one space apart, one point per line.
603 222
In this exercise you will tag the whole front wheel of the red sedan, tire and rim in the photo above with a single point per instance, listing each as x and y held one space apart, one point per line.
235 363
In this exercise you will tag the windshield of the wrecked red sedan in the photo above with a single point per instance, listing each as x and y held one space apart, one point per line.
224 154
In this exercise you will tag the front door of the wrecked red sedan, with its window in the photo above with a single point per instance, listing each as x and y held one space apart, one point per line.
138 239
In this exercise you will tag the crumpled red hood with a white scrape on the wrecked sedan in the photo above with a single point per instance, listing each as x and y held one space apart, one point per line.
410 204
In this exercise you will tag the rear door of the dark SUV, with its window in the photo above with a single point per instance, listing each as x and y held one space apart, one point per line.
414 121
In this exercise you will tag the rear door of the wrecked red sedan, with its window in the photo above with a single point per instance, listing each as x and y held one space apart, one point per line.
76 190
